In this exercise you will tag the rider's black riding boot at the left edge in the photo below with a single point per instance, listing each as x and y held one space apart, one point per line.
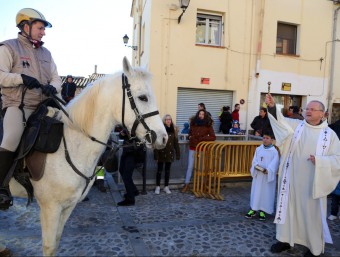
6 161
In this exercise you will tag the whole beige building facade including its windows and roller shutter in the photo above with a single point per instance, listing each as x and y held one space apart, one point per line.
235 51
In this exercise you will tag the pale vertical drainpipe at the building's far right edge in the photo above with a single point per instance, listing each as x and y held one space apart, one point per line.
331 79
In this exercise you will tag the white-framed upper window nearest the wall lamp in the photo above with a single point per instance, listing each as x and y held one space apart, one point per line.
208 29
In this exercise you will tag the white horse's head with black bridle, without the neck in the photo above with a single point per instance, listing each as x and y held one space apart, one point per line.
139 111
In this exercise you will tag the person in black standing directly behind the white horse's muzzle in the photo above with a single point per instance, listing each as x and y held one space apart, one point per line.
131 156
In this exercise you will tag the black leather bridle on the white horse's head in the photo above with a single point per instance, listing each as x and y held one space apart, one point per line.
150 136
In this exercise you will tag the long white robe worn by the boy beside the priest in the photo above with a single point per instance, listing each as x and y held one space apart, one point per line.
263 187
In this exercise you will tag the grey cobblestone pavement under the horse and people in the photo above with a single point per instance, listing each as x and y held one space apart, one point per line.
158 225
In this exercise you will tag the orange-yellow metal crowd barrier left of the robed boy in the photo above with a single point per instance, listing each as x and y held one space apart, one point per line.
221 159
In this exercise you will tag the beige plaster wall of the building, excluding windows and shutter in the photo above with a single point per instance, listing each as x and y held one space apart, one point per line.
249 41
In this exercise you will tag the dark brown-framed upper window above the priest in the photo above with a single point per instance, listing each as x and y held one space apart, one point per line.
286 39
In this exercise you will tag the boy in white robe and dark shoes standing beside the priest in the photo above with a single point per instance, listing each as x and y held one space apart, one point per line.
263 170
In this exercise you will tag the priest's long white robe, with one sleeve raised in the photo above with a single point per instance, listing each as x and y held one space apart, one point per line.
309 184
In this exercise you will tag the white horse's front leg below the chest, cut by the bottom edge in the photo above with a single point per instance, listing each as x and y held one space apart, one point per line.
50 219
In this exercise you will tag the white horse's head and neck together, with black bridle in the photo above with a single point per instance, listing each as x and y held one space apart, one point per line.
124 98
